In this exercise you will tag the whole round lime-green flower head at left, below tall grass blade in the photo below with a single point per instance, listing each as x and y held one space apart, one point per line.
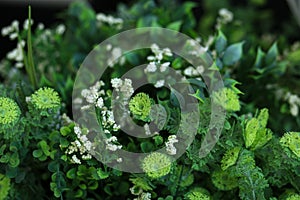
45 98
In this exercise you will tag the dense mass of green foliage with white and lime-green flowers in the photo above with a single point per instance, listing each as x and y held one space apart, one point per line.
44 154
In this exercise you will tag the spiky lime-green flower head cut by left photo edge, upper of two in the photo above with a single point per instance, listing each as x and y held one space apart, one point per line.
9 112
